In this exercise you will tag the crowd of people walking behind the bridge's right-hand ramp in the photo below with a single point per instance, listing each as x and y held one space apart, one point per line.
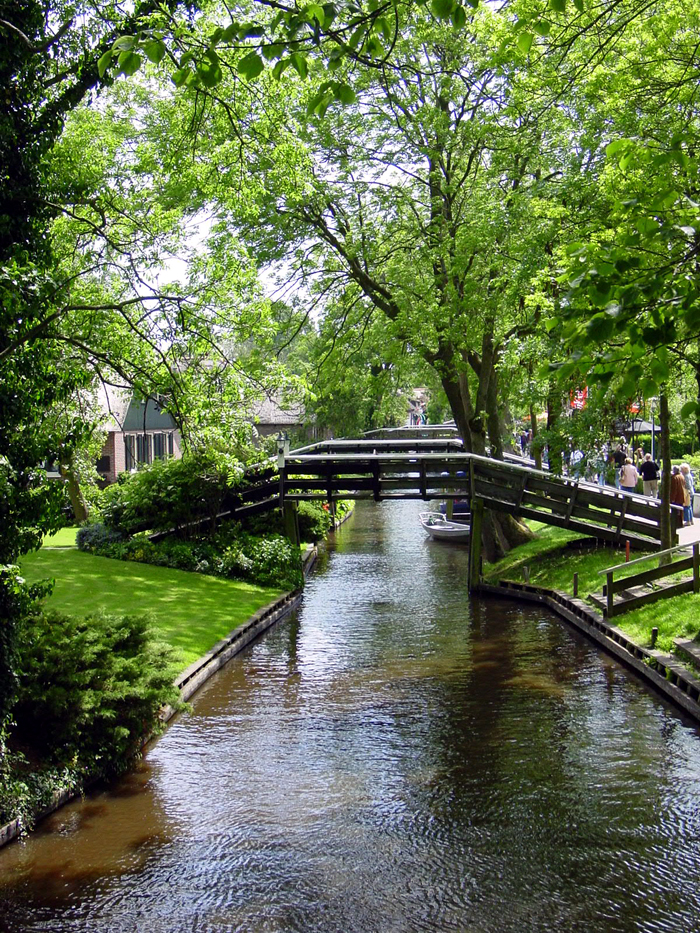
620 466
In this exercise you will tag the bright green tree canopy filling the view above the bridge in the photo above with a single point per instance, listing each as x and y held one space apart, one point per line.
502 195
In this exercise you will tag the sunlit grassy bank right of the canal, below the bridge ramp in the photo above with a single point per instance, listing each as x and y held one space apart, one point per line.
551 561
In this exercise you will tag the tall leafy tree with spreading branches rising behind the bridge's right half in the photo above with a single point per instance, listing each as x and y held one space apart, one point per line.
414 200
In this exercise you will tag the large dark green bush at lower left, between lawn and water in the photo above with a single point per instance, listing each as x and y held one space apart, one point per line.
91 688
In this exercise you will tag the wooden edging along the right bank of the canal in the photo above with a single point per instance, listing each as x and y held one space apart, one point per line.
659 669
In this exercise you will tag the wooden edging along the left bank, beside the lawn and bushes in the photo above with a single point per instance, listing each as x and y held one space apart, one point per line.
192 678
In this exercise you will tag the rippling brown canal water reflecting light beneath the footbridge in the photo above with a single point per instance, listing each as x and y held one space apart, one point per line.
394 758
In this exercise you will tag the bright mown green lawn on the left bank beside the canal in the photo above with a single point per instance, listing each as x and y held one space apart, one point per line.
191 611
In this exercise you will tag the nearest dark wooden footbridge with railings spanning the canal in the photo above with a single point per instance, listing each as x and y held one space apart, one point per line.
439 468
